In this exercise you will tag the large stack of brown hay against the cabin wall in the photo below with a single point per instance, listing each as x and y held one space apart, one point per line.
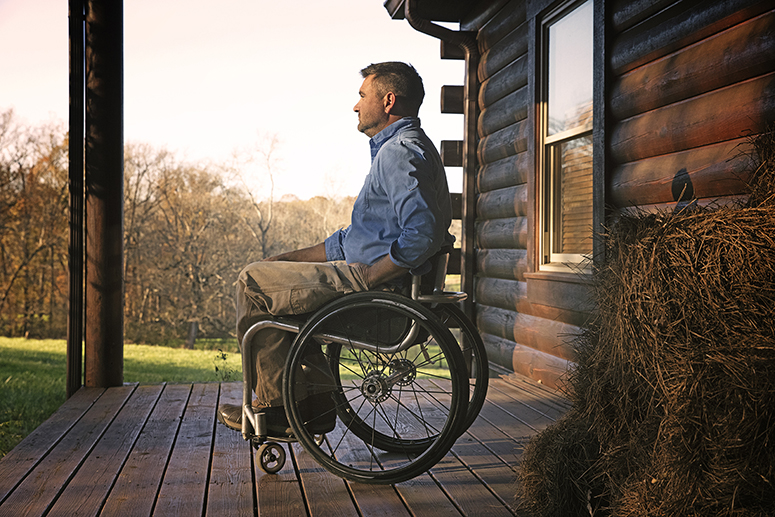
675 378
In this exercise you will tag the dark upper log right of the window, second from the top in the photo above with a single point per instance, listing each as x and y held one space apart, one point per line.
676 27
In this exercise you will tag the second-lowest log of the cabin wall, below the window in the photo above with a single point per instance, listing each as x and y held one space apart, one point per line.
544 335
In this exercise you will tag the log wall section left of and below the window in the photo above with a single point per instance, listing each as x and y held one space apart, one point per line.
525 323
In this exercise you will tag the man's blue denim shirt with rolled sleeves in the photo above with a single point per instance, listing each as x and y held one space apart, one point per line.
403 208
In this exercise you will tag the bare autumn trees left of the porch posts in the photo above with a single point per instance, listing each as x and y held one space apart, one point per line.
33 223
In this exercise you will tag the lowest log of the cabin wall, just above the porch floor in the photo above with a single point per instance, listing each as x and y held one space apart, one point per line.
547 369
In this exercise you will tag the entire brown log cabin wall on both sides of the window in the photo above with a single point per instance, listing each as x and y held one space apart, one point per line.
683 83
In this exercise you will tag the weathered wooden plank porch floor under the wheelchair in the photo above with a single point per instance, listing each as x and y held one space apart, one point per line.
158 450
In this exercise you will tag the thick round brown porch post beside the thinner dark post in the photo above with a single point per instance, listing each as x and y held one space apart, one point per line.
104 354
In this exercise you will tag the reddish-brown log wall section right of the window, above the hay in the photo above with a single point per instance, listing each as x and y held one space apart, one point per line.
691 79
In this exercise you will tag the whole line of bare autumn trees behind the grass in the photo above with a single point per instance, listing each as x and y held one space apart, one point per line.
189 228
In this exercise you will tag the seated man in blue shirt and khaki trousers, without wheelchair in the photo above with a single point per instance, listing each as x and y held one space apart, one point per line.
399 220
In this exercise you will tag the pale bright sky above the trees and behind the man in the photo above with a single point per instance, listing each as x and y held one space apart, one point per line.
205 79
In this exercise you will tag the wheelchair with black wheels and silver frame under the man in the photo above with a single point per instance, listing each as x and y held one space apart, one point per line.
421 301
